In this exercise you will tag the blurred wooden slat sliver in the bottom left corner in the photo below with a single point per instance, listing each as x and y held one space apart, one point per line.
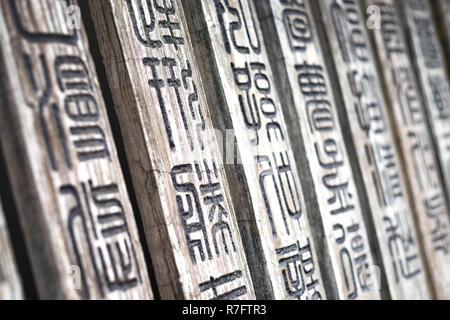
10 283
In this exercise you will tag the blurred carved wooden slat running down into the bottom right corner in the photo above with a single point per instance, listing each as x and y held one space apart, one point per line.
407 112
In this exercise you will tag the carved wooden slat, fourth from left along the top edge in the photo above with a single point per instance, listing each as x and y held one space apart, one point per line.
309 105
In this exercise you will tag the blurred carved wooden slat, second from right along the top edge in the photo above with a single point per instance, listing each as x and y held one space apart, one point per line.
431 71
